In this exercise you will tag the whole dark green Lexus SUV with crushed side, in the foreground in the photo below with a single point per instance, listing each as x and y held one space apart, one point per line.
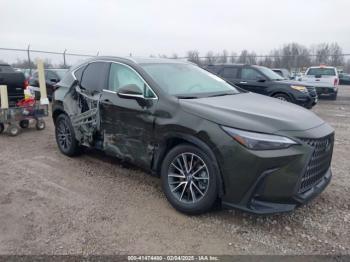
205 138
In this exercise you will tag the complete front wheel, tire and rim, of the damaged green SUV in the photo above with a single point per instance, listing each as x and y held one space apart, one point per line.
189 179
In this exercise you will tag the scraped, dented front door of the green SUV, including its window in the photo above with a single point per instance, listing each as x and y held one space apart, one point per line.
127 123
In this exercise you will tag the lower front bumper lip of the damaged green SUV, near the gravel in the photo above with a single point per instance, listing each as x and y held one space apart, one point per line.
256 206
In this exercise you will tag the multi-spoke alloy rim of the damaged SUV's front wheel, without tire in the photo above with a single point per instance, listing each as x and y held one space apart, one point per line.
188 178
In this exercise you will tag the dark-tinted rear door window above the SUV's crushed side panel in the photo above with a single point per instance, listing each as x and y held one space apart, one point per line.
94 78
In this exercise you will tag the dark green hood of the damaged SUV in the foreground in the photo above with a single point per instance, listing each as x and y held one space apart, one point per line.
252 112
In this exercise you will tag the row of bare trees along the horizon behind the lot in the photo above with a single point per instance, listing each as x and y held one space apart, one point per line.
292 56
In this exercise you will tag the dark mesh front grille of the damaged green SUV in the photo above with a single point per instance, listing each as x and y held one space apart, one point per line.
319 163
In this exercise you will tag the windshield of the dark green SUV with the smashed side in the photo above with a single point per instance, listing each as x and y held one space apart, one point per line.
186 80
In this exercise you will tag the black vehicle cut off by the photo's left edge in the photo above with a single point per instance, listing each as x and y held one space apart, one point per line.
15 82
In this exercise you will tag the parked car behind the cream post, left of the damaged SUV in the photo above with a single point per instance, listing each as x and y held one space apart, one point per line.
52 77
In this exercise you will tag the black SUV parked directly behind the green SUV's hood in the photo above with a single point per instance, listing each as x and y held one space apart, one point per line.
262 80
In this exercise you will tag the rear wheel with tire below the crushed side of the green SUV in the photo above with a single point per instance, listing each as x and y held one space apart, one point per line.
65 136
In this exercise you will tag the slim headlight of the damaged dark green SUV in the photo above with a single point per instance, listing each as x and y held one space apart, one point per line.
259 141
